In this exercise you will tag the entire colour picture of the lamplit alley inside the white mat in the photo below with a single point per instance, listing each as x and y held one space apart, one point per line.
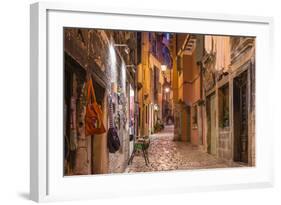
143 101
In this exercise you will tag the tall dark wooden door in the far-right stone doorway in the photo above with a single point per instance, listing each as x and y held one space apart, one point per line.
240 105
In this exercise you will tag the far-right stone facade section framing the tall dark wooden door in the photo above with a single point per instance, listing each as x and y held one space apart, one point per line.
242 84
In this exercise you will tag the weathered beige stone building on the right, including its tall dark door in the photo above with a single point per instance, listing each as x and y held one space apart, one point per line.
229 90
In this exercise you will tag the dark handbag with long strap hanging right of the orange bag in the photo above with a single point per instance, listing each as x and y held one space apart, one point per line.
113 142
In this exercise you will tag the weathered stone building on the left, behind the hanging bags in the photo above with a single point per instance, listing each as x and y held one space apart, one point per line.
109 58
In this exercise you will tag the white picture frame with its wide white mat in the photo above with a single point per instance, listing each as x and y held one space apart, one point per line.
47 182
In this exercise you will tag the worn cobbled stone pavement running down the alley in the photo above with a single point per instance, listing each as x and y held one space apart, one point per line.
165 154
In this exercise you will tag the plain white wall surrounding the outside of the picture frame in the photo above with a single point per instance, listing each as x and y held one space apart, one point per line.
14 103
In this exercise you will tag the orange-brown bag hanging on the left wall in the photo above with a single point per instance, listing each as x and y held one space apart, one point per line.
93 117
